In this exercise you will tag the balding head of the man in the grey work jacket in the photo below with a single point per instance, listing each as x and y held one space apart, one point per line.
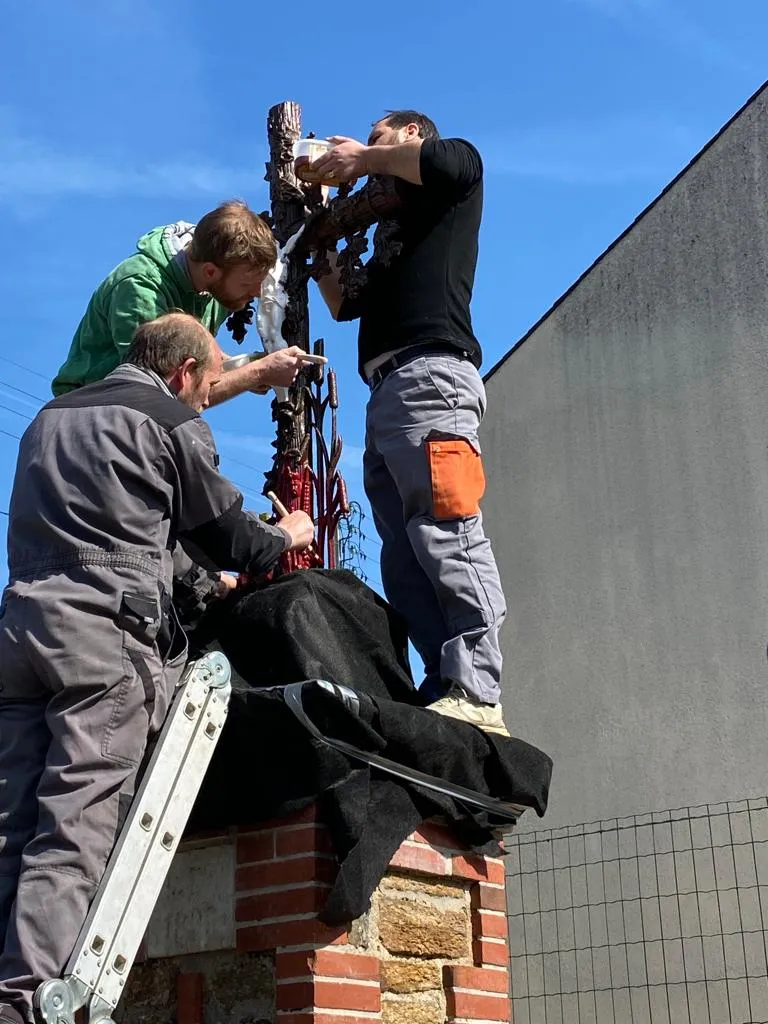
181 351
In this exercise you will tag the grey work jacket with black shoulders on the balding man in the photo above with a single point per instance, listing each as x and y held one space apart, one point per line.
116 475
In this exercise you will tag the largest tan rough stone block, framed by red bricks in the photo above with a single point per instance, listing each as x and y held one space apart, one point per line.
423 930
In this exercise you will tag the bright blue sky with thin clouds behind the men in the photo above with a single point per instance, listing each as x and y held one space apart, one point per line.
117 116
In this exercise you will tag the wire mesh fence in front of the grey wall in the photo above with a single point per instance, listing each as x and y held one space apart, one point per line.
657 919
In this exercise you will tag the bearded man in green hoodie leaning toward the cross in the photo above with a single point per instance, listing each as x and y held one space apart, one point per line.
208 270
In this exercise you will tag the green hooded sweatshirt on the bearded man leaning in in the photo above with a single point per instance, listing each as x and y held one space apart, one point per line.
147 285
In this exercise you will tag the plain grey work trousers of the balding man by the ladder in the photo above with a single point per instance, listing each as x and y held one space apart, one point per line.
82 688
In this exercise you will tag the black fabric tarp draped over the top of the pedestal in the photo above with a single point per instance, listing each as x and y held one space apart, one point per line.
328 625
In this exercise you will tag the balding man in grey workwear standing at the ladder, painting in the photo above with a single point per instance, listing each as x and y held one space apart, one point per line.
110 479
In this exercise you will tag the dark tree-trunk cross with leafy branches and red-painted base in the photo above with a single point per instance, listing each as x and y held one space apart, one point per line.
306 472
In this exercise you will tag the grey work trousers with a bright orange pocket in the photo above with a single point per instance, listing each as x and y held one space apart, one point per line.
423 478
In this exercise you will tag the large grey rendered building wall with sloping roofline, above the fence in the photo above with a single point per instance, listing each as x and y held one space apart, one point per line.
627 456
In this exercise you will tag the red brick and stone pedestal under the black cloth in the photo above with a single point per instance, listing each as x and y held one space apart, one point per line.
236 937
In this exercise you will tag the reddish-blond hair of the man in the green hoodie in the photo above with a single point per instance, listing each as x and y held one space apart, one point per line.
233 234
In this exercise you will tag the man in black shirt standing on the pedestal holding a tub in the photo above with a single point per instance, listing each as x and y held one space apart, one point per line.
423 471
